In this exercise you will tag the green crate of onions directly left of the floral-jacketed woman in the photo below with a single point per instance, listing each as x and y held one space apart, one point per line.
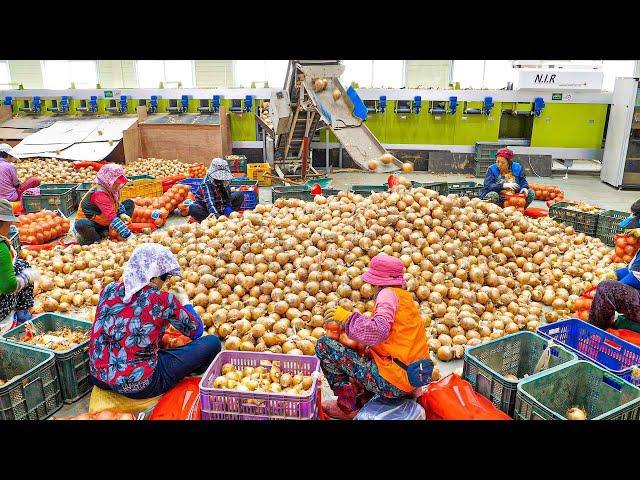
72 364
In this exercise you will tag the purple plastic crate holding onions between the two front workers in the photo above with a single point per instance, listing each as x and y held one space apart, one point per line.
224 404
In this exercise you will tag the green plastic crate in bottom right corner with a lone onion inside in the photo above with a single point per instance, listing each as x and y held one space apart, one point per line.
581 384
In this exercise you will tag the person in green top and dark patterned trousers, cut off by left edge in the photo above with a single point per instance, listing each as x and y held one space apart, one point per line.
16 276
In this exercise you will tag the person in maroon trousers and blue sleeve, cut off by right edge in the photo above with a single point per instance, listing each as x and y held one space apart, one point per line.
621 295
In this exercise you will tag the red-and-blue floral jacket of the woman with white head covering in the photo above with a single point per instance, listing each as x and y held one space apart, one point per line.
125 337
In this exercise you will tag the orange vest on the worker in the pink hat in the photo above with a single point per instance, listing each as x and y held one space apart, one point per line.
407 342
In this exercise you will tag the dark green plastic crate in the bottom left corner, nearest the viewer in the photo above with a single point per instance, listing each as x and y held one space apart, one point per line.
35 393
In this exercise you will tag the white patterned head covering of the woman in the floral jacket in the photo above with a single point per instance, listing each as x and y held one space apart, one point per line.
147 261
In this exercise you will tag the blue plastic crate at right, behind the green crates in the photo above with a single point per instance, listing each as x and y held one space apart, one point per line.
591 343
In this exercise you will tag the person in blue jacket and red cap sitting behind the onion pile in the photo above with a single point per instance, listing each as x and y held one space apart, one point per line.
505 176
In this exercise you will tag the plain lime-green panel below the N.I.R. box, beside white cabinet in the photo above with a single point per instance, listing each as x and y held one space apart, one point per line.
569 126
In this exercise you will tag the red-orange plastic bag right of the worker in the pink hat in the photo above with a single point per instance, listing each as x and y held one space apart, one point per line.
453 398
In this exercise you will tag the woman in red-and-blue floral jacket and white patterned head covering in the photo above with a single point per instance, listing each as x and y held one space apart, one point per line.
131 317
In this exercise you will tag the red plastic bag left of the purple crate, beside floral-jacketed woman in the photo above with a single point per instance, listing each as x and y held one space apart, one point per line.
182 402
